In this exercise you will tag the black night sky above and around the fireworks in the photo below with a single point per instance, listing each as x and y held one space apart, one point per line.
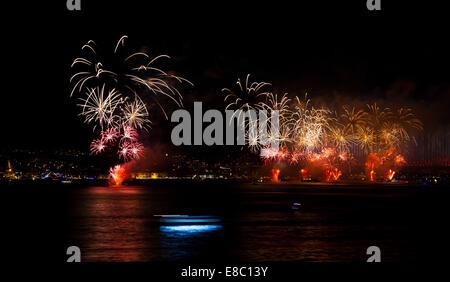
328 50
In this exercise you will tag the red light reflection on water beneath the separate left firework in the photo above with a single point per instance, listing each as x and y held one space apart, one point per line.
110 224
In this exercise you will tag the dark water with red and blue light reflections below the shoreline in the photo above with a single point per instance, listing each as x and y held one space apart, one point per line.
335 223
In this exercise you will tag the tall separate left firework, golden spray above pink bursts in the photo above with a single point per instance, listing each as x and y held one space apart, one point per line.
116 91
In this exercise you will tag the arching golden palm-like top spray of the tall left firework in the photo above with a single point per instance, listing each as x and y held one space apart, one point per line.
129 72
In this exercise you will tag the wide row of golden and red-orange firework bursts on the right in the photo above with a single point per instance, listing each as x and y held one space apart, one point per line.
321 140
